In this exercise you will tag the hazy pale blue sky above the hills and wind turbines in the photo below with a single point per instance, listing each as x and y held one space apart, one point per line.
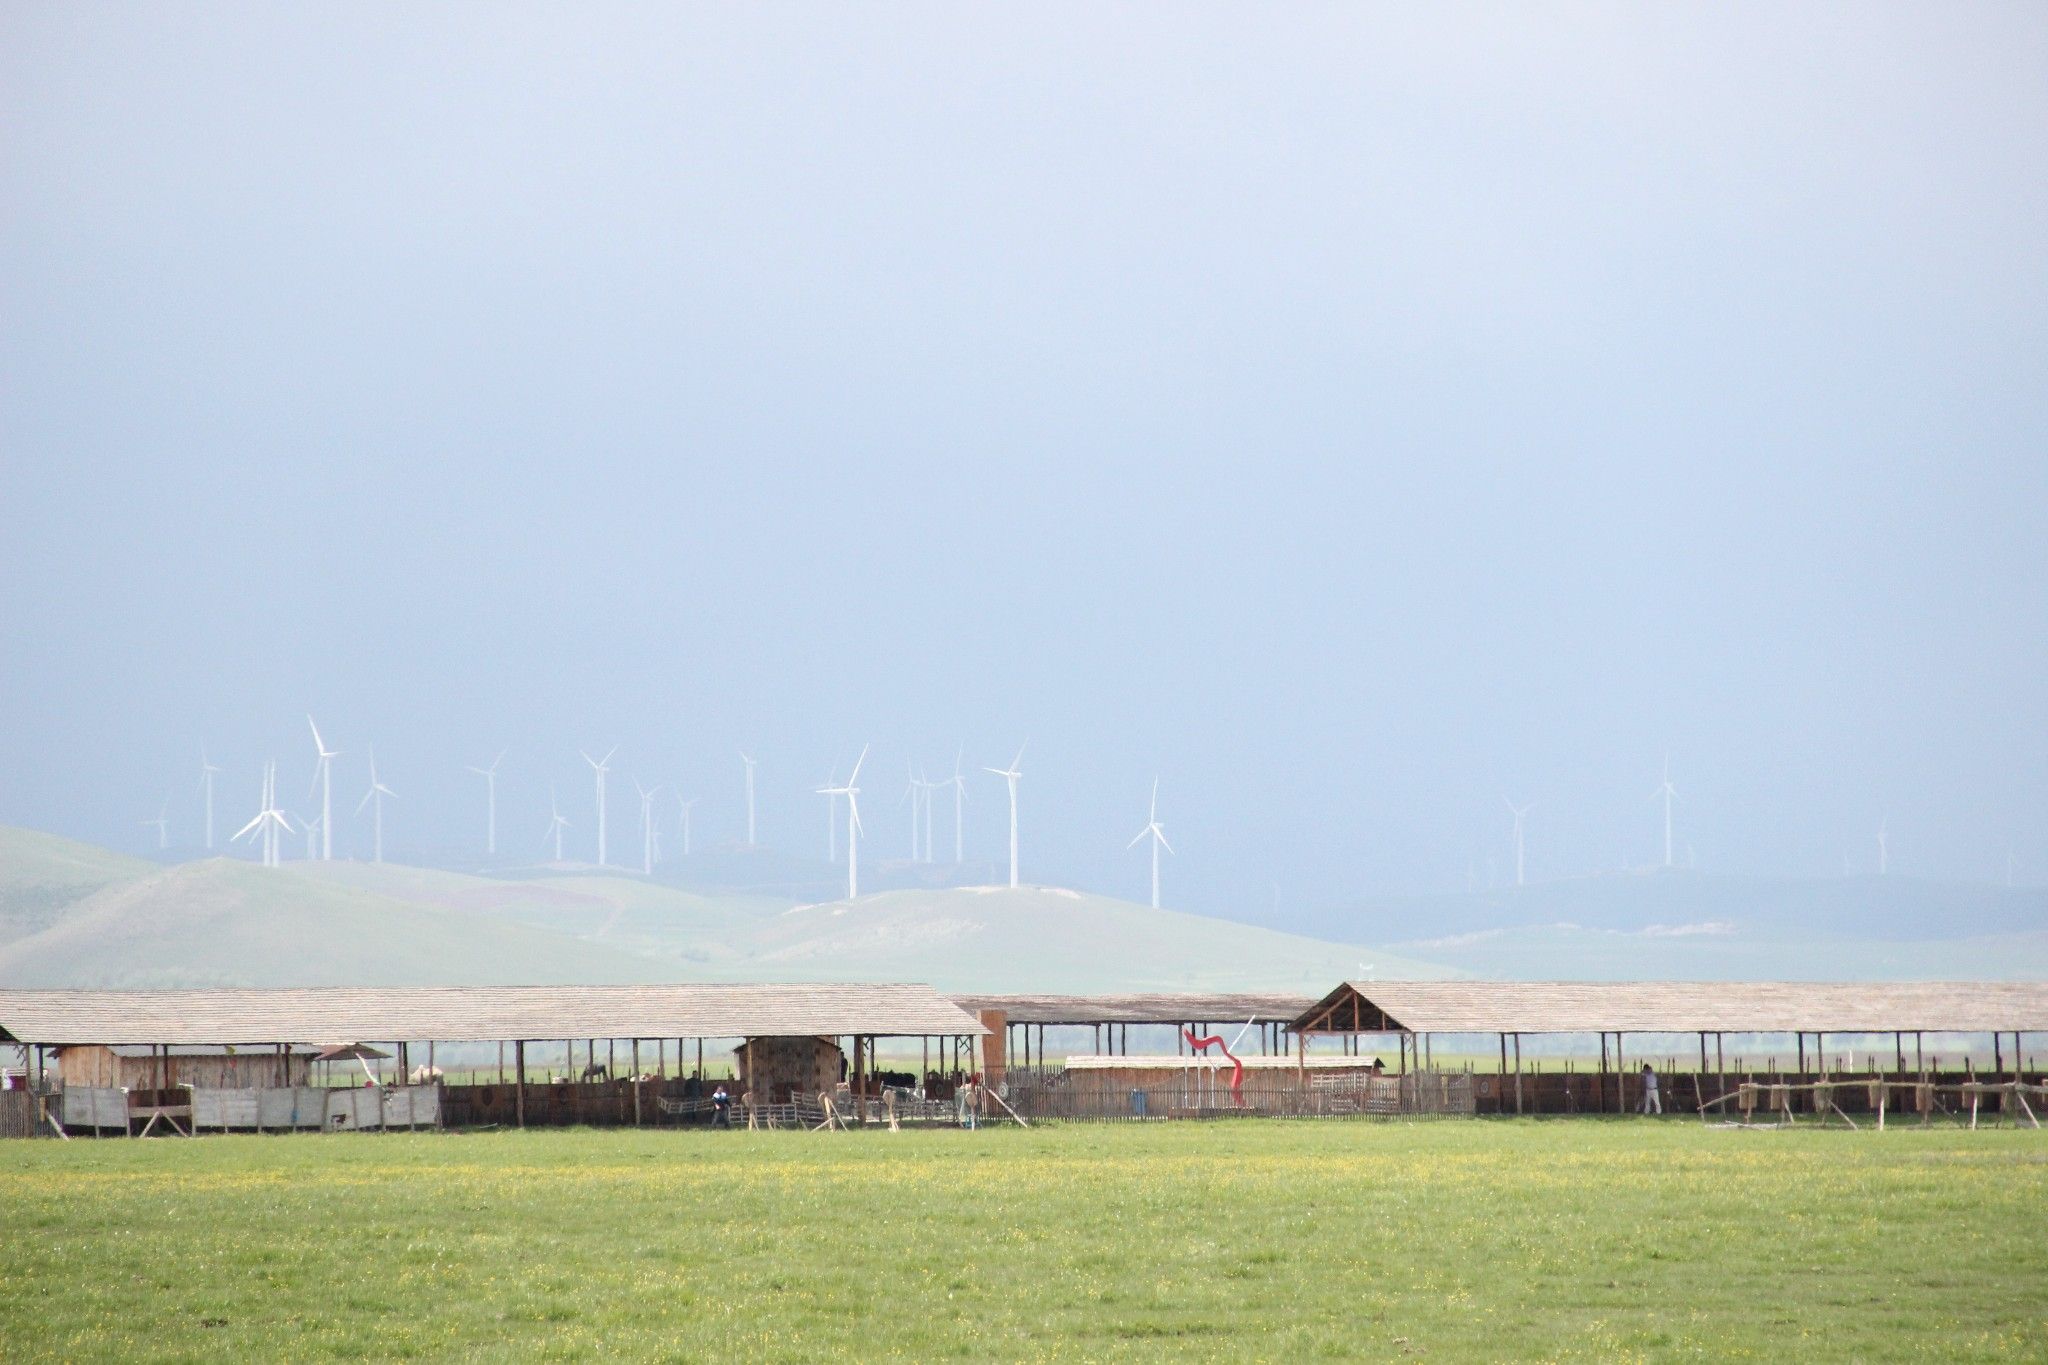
1351 416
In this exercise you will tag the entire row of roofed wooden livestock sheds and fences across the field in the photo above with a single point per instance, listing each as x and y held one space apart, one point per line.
796 1067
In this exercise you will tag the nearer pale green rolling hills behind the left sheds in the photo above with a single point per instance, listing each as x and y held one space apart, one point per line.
226 922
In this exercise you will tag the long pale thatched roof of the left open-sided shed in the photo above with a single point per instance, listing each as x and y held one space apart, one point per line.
474 1014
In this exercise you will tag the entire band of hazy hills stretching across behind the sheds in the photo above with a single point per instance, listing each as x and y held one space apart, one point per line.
73 914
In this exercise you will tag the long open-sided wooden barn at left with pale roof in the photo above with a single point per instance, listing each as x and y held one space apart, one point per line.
103 1028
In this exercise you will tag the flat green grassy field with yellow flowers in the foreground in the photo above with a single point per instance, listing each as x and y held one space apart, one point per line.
1230 1241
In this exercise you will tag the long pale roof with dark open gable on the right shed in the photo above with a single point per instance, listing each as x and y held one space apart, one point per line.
1695 1006
